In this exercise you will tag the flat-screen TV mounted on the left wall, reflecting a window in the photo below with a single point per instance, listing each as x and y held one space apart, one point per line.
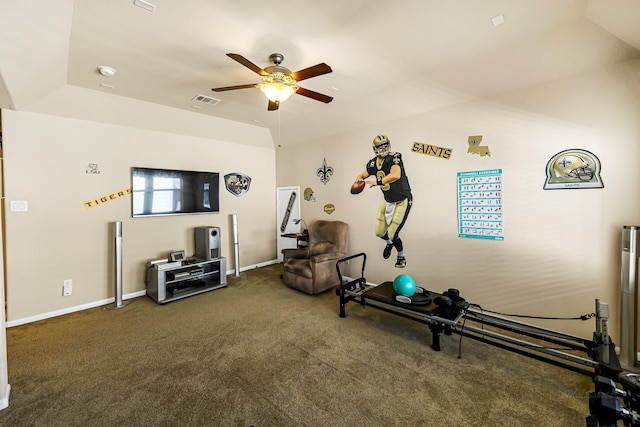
174 192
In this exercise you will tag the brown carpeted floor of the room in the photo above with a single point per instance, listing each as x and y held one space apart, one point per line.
260 354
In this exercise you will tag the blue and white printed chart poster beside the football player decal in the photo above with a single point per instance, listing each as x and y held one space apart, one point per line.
480 204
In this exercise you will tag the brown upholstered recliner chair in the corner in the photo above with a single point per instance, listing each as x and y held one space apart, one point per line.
313 269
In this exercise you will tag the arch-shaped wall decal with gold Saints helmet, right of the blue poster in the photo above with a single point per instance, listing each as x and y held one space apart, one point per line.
574 168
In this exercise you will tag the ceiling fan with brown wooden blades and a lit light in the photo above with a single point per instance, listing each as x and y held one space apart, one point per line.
278 82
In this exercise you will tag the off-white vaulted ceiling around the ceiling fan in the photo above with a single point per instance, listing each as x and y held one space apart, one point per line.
390 58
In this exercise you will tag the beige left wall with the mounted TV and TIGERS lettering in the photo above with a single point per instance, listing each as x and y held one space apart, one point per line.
46 159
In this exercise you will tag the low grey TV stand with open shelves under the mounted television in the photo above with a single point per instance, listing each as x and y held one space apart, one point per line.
175 280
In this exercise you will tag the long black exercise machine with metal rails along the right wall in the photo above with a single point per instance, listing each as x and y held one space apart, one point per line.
599 360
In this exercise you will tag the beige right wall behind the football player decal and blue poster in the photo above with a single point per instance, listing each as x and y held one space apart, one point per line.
561 247
